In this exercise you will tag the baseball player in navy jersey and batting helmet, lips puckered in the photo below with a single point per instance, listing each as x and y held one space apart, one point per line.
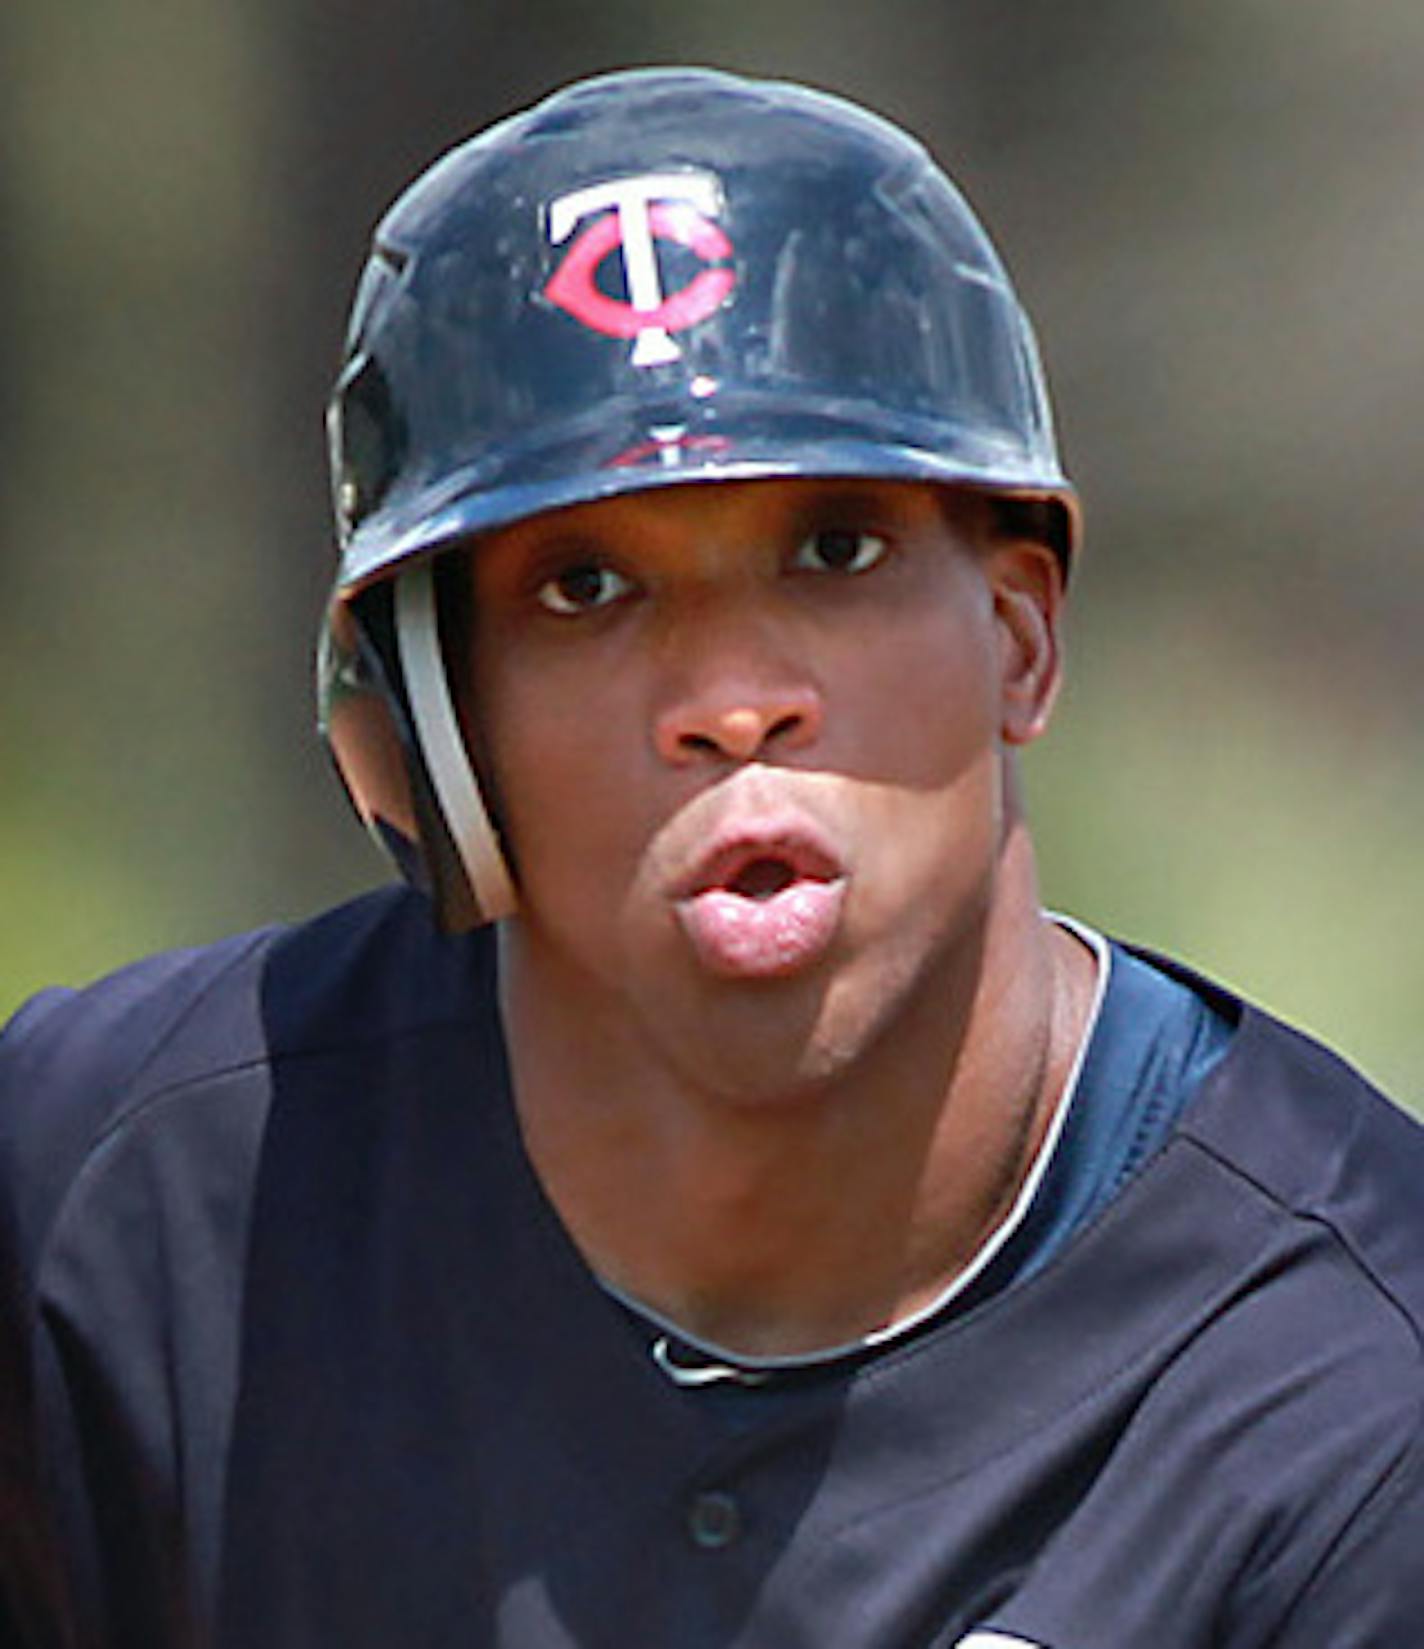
713 1205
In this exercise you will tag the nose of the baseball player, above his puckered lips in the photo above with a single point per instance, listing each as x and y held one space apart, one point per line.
736 708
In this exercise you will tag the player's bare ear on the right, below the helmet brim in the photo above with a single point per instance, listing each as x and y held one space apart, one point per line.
1028 583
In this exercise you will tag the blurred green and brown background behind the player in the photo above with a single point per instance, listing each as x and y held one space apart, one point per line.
1214 210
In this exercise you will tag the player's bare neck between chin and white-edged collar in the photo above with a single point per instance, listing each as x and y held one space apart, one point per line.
825 1211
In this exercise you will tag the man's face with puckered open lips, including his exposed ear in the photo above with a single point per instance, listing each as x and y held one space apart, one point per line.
747 745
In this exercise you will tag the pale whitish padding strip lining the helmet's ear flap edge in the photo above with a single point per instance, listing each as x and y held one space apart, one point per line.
443 745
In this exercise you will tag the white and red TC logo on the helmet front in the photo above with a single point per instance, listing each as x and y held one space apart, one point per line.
632 215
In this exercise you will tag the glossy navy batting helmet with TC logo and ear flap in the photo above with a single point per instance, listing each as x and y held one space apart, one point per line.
653 278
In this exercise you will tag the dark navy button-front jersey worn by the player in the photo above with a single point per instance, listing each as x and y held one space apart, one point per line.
294 1351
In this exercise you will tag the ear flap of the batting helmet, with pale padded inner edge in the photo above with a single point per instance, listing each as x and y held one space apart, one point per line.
393 733
